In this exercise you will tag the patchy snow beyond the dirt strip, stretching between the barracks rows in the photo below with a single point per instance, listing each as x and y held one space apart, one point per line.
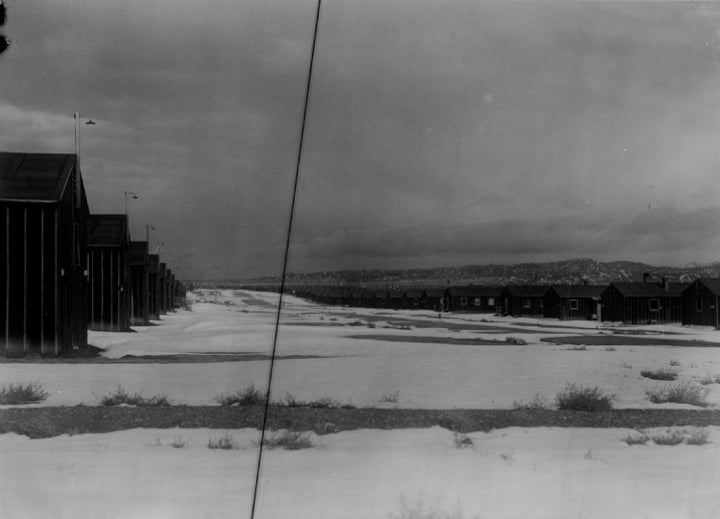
362 370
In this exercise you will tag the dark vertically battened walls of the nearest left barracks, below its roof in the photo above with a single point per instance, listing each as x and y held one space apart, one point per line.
43 282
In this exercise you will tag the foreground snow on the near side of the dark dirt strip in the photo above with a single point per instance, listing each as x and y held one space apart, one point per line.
508 473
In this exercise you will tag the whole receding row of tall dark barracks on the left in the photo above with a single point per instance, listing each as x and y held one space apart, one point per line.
63 270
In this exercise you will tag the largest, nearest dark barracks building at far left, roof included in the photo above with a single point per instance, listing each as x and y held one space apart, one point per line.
43 257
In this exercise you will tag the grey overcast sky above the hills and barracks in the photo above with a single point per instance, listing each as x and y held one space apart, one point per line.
439 132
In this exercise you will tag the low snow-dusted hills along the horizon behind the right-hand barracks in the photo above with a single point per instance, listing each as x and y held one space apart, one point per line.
574 271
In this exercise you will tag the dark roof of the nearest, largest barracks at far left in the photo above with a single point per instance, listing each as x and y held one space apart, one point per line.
36 177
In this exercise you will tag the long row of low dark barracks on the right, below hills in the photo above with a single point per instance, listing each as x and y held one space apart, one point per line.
641 302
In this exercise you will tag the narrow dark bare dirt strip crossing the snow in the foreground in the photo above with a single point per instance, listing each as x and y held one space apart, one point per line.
45 422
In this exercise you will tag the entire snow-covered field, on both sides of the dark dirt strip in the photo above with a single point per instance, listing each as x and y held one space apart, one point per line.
508 473
